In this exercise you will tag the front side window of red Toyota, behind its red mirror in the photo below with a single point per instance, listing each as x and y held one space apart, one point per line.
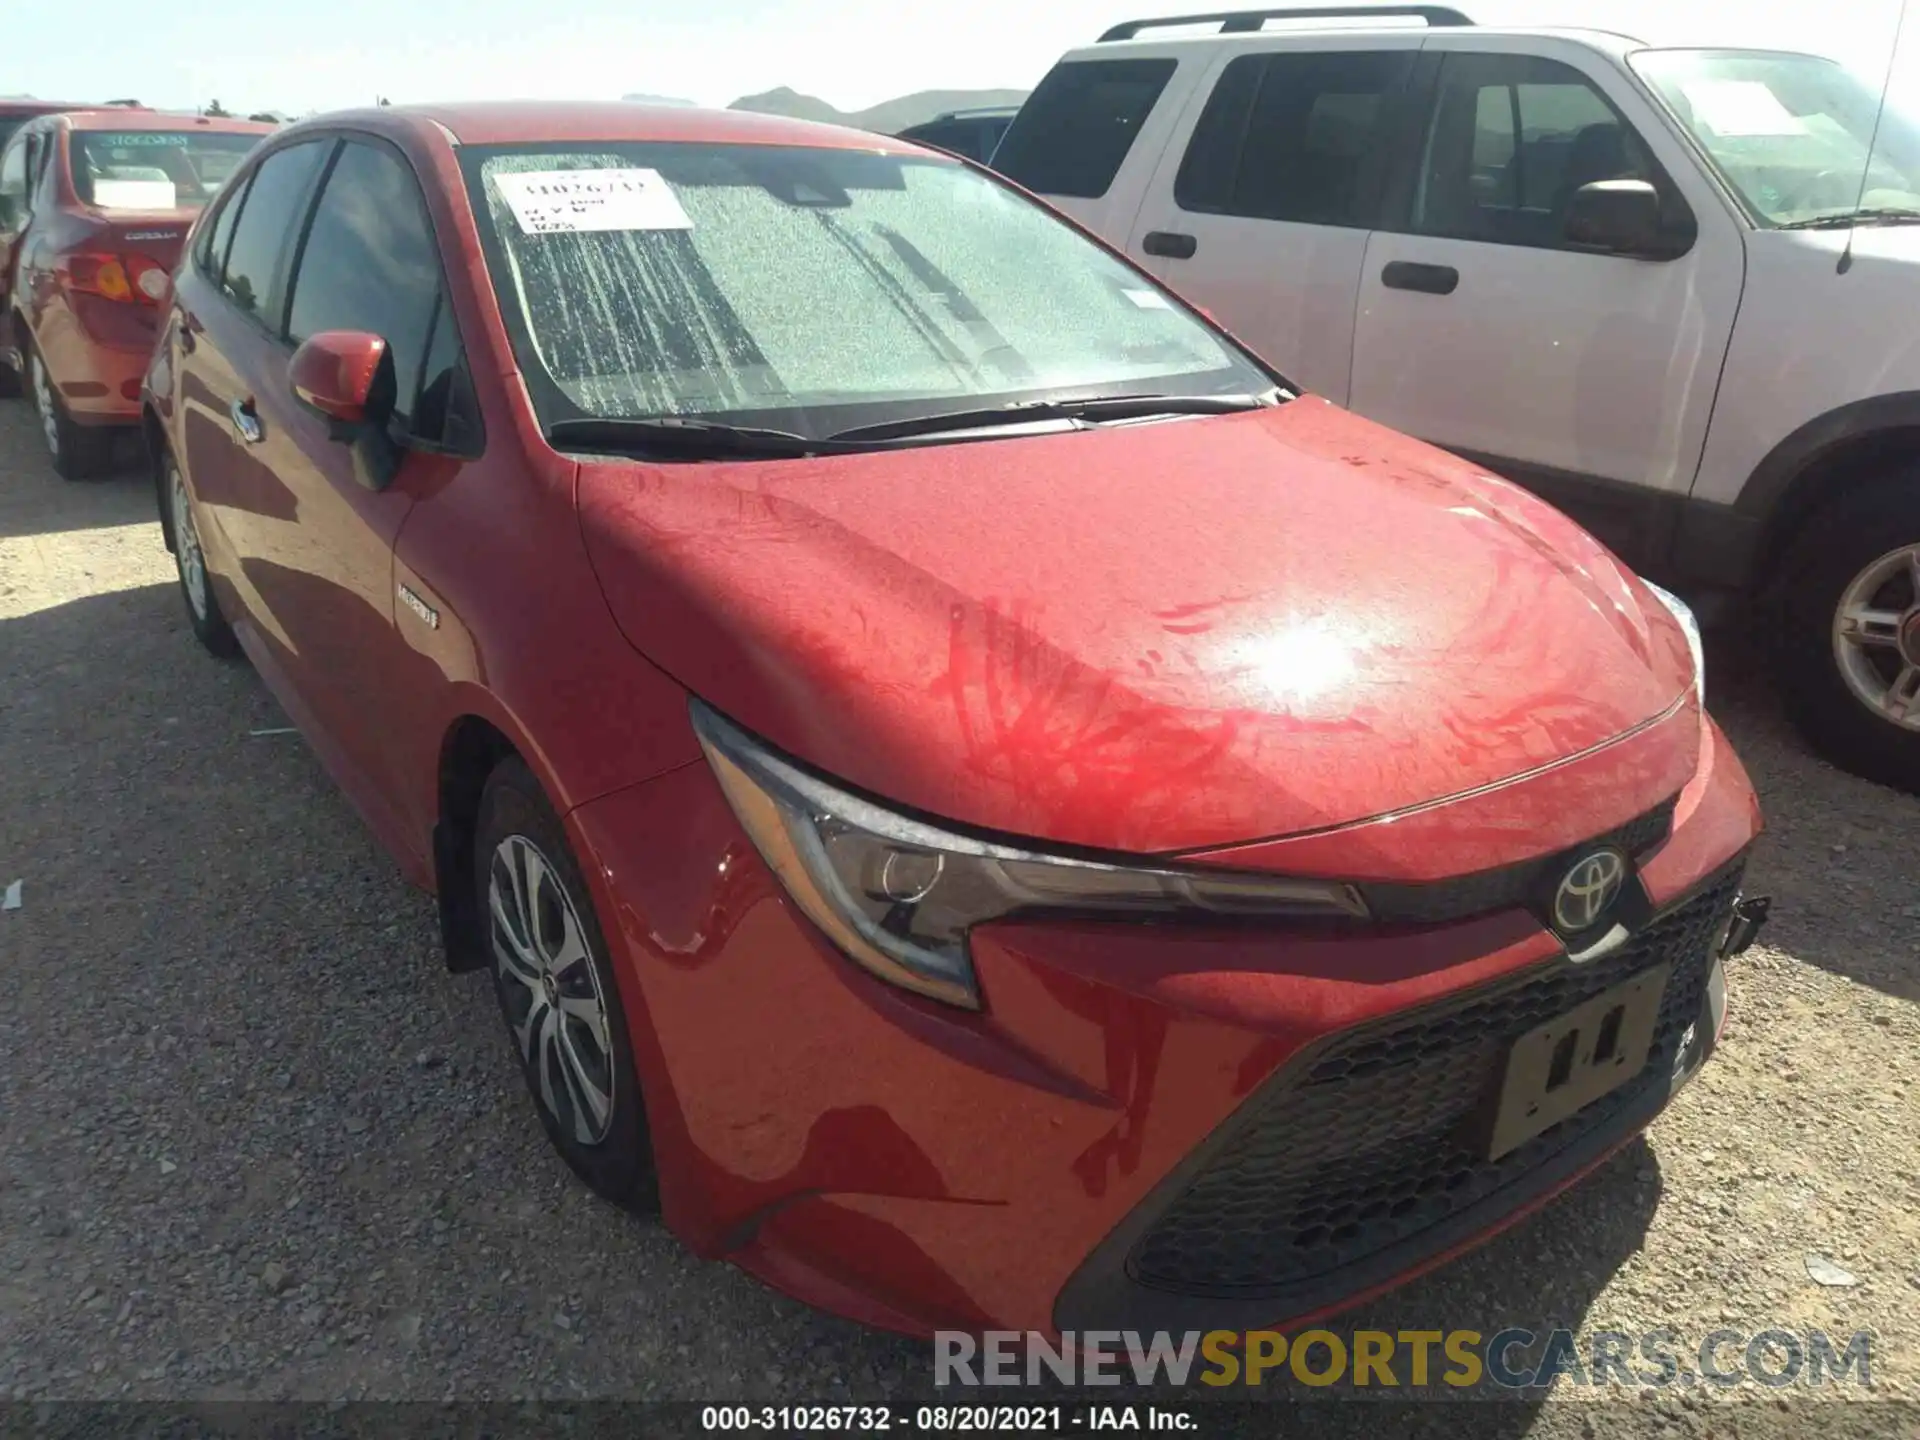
370 262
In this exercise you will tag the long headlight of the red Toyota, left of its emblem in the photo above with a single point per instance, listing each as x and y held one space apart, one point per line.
901 896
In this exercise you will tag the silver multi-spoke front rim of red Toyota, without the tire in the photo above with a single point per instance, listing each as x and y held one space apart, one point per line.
552 996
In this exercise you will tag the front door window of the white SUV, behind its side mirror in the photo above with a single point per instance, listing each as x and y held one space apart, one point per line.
1512 141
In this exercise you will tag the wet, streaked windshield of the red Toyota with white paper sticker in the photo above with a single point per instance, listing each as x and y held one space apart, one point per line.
813 289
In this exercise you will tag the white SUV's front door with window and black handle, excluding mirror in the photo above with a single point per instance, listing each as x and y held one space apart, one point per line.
1581 375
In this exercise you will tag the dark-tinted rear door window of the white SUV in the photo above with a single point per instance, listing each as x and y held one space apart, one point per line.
1293 137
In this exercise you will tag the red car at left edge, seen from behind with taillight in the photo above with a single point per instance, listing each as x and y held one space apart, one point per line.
93 212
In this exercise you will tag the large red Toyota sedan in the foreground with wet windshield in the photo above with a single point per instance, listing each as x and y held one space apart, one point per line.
972 792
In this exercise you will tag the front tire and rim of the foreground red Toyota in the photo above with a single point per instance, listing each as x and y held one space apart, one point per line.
558 990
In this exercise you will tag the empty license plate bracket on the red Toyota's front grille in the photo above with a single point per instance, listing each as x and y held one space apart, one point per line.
1575 1059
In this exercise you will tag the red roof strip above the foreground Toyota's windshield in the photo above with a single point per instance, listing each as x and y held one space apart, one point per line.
510 122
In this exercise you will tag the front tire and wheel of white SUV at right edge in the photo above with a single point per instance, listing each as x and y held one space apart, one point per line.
1863 558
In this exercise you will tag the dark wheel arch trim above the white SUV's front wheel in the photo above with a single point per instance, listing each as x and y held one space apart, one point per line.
1827 460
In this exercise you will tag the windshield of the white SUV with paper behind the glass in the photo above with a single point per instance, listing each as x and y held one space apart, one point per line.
1790 133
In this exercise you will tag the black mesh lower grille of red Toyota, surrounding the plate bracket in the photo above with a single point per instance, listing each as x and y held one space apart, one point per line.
1370 1141
